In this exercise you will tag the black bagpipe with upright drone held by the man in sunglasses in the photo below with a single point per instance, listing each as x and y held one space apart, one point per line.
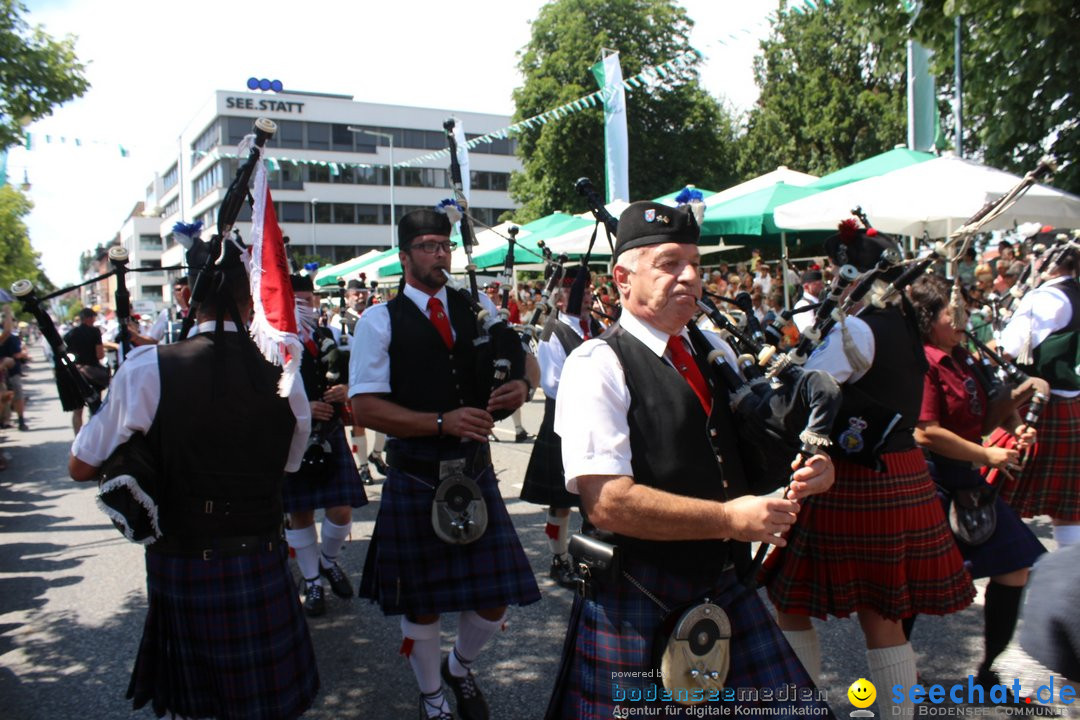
501 357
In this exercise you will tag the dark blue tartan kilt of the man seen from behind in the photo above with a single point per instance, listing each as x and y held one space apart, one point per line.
225 640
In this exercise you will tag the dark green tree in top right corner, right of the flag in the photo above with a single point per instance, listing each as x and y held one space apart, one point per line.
1021 79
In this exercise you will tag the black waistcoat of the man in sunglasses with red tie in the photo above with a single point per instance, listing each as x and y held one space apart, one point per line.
425 376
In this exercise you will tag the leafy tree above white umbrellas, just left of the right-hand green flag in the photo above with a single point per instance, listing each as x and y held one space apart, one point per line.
833 89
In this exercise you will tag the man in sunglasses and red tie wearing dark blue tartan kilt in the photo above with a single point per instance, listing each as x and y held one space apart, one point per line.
413 376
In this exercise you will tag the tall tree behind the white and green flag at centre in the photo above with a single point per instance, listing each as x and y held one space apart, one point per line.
678 133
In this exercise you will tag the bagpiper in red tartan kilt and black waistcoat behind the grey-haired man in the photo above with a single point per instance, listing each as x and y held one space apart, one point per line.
877 544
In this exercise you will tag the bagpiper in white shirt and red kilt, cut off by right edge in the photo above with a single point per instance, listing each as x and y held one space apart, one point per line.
1045 338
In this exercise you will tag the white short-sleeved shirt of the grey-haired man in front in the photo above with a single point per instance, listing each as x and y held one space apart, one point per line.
593 402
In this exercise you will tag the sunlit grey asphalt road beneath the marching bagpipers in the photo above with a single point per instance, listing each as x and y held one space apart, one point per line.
73 602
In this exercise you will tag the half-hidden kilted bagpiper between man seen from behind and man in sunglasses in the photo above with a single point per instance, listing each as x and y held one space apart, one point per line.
328 479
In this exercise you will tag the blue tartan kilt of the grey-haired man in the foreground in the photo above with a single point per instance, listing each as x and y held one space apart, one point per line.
613 634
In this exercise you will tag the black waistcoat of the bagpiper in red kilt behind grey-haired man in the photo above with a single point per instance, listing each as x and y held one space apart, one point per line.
896 377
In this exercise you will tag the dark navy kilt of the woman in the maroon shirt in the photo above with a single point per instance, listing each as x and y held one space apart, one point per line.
1012 547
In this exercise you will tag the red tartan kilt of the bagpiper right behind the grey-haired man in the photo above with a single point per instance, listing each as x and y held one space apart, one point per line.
877 541
